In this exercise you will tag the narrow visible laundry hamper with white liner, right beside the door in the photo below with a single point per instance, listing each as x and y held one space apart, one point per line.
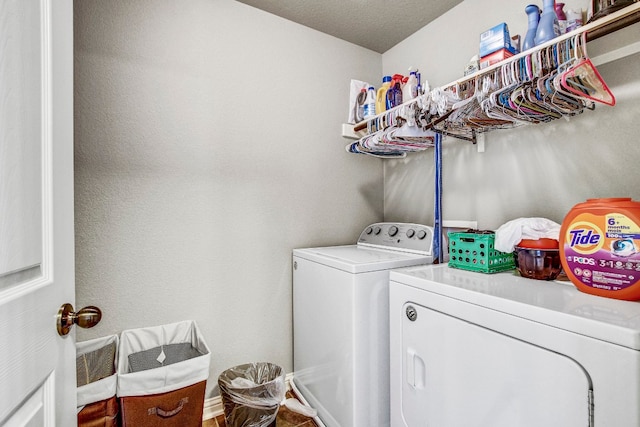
96 367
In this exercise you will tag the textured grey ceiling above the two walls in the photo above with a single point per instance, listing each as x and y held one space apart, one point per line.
375 24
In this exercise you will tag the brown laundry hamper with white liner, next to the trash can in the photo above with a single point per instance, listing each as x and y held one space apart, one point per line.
162 375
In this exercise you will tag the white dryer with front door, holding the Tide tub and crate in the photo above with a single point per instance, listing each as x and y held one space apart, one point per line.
477 350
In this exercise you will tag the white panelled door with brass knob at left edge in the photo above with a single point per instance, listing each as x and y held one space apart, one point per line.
37 366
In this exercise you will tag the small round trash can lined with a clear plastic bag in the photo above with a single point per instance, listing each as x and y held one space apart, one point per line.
251 394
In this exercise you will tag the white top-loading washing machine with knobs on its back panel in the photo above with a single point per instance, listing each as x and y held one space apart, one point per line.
341 321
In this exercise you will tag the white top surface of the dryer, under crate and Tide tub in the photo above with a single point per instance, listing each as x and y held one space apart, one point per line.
554 303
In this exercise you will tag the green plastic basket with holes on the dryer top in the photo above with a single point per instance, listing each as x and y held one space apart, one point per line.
475 252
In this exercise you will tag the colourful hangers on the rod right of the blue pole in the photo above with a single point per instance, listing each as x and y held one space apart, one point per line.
559 81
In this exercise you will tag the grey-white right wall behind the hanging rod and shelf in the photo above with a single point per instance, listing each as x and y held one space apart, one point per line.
539 170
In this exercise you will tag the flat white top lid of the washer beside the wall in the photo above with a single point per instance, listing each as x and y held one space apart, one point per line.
360 259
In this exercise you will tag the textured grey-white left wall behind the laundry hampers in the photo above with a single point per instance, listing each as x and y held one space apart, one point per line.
207 143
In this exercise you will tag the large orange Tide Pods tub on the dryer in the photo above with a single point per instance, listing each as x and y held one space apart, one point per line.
599 243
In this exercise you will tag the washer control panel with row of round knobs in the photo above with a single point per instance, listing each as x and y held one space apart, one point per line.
407 237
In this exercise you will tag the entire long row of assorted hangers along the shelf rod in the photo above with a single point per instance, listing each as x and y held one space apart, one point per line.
558 81
